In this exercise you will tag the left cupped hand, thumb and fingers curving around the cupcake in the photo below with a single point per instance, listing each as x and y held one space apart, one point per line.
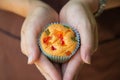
31 28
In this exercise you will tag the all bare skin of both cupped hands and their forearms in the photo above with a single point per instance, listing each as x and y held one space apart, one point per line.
37 14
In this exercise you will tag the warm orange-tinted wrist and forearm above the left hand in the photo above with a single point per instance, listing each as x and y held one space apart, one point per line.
21 7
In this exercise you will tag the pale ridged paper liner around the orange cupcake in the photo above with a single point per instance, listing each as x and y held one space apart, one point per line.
60 59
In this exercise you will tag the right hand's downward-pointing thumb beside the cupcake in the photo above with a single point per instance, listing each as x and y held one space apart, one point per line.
89 41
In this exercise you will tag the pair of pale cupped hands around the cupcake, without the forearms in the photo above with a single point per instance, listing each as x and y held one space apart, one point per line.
83 22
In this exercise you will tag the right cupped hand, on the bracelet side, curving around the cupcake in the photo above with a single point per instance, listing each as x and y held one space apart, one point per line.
77 14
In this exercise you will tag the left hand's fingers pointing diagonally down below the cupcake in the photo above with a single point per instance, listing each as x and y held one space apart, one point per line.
44 65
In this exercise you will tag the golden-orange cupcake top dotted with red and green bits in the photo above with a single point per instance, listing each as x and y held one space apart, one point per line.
58 40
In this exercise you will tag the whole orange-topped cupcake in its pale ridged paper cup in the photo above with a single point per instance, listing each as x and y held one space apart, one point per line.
59 42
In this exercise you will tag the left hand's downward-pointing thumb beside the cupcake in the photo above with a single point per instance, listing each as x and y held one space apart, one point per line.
29 46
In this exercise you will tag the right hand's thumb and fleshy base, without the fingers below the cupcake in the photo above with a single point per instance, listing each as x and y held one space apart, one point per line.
85 23
